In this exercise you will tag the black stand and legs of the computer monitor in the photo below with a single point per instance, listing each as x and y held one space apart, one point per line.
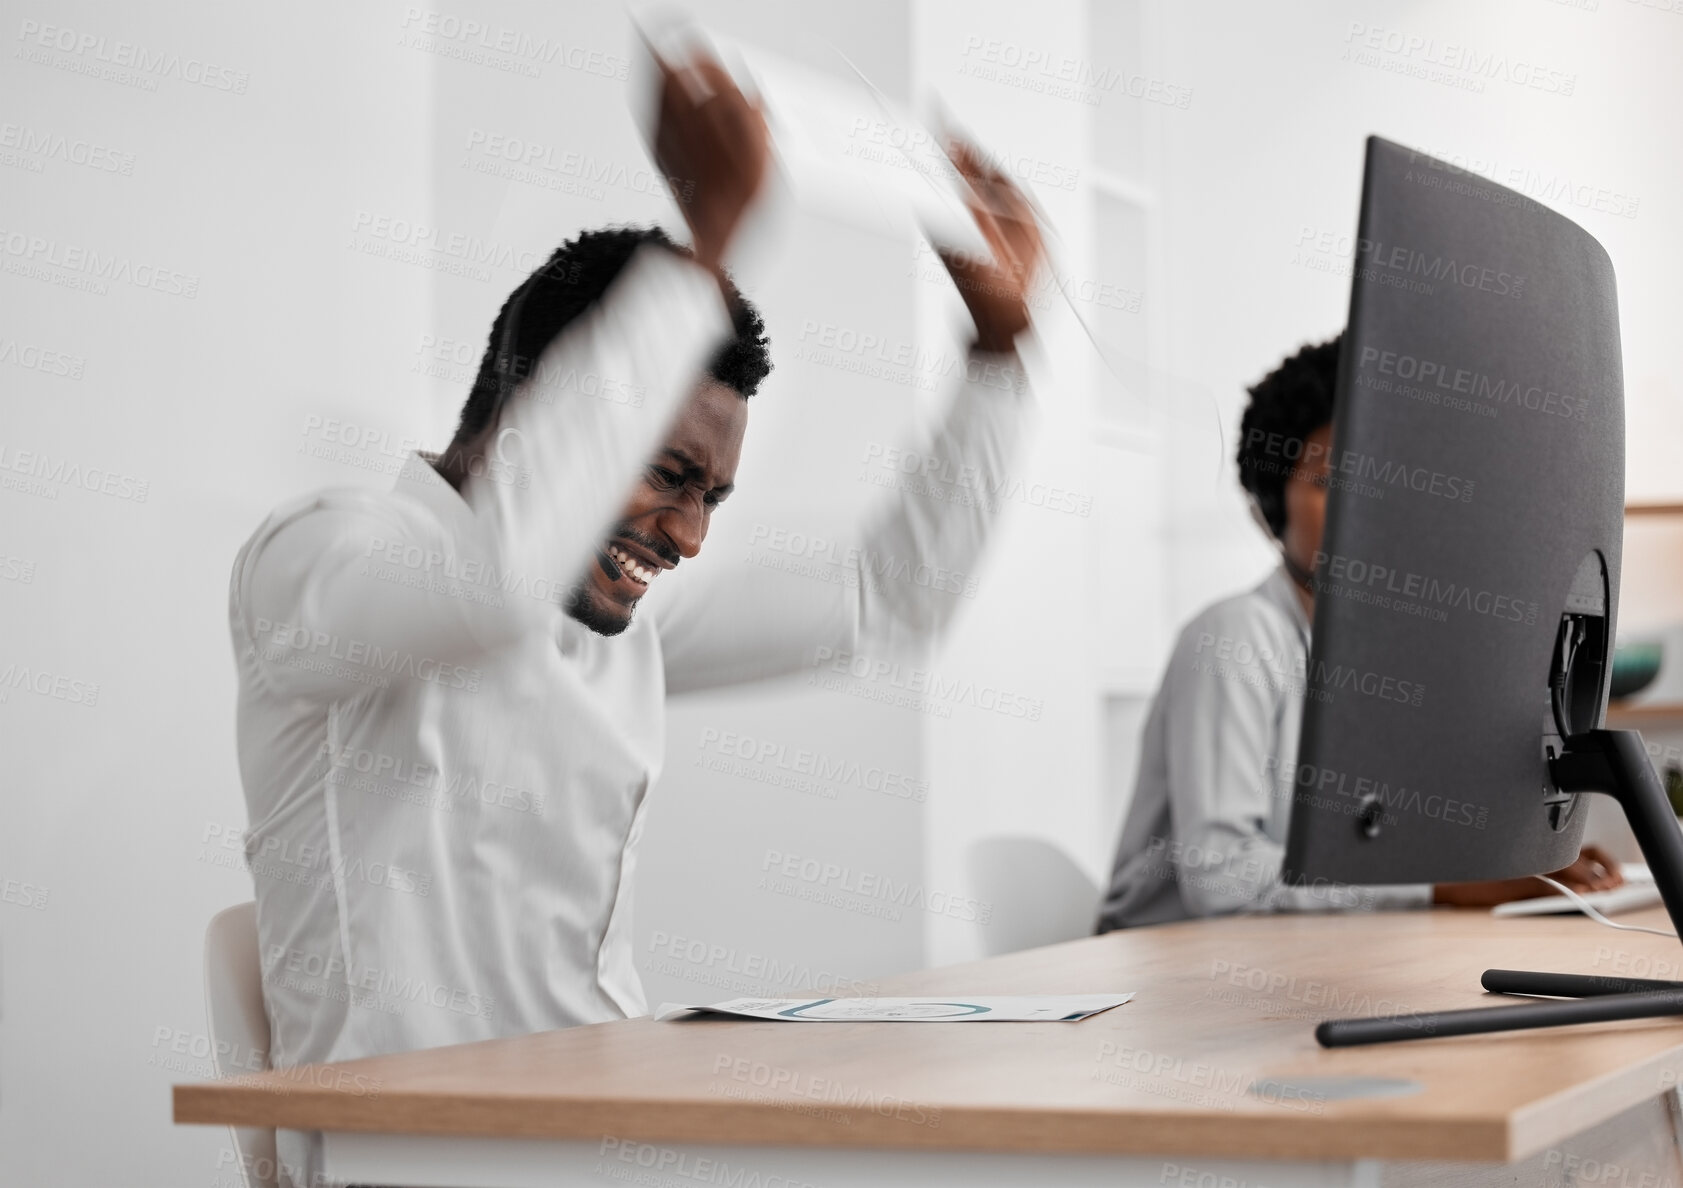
1596 761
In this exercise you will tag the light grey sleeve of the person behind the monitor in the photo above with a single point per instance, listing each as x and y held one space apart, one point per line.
1226 689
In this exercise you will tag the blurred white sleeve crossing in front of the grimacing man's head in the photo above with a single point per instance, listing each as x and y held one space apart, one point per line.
568 447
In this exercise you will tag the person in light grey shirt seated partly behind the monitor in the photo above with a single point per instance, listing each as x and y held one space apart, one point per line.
1206 832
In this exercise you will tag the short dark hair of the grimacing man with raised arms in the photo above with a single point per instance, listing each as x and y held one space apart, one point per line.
565 289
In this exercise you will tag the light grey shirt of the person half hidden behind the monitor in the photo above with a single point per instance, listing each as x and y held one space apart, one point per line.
1206 832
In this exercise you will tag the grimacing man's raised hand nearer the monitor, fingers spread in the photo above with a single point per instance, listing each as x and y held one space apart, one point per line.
995 290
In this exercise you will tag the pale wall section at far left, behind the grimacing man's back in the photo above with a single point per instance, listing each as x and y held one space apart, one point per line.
109 803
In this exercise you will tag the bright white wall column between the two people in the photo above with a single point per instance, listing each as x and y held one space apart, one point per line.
1029 766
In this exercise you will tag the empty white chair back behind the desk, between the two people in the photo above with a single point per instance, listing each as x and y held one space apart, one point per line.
1038 893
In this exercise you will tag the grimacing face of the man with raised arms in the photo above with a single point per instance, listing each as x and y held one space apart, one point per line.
666 519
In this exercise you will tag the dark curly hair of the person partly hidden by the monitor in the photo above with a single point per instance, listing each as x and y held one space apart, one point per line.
1287 406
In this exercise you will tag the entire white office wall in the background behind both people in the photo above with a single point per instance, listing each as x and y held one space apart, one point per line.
284 199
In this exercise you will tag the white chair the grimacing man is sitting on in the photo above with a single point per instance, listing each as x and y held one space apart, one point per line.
240 1027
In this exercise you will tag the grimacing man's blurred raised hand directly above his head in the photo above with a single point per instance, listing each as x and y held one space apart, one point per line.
713 146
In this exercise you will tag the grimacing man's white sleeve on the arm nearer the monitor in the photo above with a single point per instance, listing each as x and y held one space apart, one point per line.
913 566
